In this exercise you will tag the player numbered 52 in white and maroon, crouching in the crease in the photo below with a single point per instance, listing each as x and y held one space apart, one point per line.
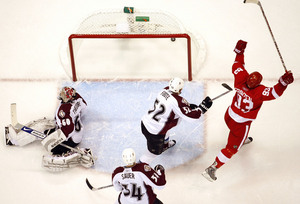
169 108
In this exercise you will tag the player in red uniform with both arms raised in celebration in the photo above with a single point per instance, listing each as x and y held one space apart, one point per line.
246 103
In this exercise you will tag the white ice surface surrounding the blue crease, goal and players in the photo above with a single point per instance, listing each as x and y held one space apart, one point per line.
267 171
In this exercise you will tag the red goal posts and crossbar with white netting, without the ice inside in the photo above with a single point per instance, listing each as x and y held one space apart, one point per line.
136 24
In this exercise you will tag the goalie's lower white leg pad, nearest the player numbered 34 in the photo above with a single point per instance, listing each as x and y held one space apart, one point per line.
58 163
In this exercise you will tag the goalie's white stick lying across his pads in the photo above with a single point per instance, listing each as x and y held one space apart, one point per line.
18 126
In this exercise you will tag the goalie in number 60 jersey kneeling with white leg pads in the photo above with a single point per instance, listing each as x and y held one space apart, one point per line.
60 136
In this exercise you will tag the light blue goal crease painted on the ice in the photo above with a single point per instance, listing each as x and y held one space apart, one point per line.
113 117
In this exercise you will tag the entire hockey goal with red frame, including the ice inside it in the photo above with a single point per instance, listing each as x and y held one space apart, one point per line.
132 44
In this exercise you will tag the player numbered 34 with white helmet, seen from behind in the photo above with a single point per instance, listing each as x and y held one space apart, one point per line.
136 181
